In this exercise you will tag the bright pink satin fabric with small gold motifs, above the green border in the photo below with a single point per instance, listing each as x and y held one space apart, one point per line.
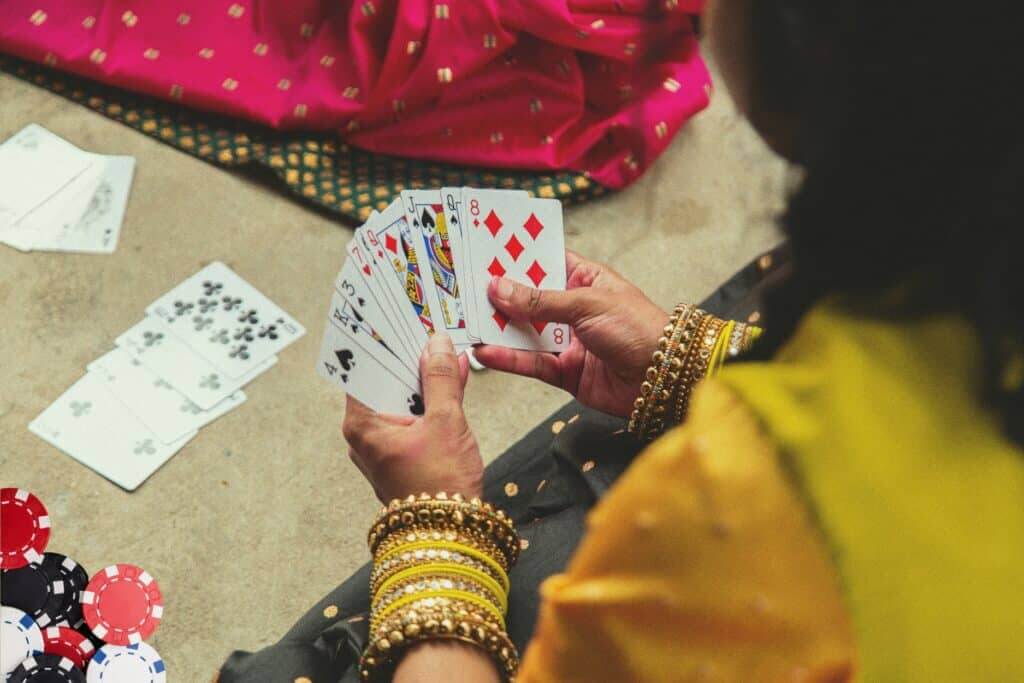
599 87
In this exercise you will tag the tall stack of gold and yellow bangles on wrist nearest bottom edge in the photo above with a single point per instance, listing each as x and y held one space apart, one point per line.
441 572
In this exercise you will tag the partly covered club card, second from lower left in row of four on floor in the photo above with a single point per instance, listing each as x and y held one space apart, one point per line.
161 408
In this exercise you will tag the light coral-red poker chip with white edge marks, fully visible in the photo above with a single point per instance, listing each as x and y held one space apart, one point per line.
122 605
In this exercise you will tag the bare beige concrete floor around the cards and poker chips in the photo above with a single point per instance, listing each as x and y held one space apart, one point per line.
263 514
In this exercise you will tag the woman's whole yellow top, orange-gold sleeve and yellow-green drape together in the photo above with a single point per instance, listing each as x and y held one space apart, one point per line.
707 562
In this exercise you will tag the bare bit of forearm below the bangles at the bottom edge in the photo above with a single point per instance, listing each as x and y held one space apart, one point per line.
446 661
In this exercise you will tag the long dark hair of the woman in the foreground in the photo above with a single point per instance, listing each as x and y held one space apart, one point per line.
911 133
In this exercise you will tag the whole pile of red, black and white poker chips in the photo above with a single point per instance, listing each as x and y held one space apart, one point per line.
57 624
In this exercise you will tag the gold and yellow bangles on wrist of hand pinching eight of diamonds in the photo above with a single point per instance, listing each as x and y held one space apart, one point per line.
695 346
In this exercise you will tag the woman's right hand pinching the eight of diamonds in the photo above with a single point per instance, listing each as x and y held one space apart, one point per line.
616 330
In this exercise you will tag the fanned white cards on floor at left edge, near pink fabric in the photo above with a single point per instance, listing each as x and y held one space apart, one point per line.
55 197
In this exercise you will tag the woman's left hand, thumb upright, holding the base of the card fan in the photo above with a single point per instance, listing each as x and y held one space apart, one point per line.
436 453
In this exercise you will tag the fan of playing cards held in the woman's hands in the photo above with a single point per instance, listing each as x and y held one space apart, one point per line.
423 266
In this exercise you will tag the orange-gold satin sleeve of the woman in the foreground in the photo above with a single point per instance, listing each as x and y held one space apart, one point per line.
702 565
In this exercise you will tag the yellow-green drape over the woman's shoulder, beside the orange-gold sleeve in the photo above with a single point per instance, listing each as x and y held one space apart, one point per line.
918 492
